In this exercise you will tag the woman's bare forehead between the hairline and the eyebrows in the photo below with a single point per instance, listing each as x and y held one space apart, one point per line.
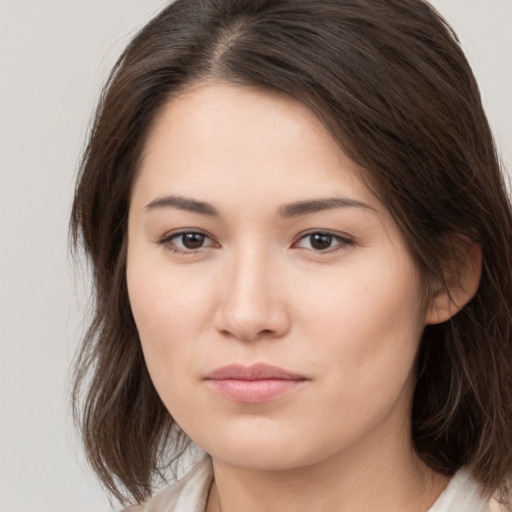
245 144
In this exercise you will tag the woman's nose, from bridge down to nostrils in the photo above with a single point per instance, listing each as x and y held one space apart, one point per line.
252 303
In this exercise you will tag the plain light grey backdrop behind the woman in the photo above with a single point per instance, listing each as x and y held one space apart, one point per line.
54 56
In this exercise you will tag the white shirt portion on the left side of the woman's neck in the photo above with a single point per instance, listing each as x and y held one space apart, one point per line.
189 494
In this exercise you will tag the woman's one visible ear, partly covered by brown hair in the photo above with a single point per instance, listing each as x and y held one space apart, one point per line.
461 286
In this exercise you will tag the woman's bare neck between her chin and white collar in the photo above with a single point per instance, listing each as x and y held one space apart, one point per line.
375 476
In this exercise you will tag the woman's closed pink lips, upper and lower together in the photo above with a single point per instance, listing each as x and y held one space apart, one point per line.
254 384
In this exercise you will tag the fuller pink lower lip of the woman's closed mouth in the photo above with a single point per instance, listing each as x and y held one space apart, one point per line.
253 391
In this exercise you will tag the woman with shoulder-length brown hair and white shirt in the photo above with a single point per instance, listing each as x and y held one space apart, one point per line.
300 242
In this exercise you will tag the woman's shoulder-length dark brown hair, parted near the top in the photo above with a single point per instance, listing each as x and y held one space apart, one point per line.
391 83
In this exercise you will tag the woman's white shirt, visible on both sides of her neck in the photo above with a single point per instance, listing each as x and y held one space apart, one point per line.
190 494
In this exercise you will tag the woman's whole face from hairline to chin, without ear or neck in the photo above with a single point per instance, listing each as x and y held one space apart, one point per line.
278 308
